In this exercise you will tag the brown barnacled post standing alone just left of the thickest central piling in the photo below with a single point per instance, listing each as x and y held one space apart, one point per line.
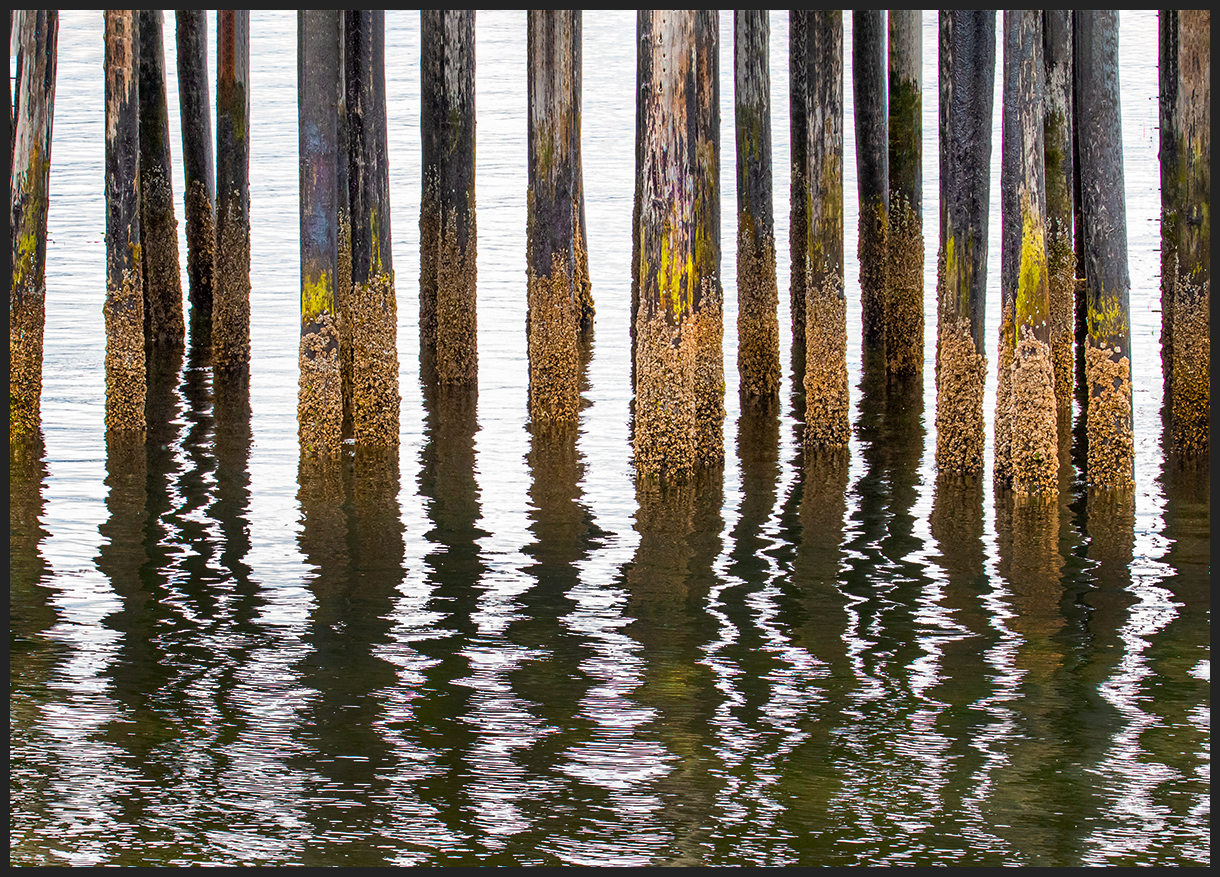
553 317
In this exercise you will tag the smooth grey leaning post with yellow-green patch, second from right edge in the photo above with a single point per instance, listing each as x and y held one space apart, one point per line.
1108 353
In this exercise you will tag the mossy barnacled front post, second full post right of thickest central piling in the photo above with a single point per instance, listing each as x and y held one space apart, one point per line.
827 382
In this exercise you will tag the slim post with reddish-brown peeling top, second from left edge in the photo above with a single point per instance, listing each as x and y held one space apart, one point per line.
126 386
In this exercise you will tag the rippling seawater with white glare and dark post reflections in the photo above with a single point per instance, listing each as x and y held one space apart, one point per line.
497 647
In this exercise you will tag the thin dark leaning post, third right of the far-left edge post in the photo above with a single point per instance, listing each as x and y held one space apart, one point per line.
197 163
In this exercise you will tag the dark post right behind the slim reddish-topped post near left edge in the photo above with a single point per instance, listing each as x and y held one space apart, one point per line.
159 227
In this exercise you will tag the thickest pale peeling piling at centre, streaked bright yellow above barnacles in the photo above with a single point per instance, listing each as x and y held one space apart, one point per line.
680 407
